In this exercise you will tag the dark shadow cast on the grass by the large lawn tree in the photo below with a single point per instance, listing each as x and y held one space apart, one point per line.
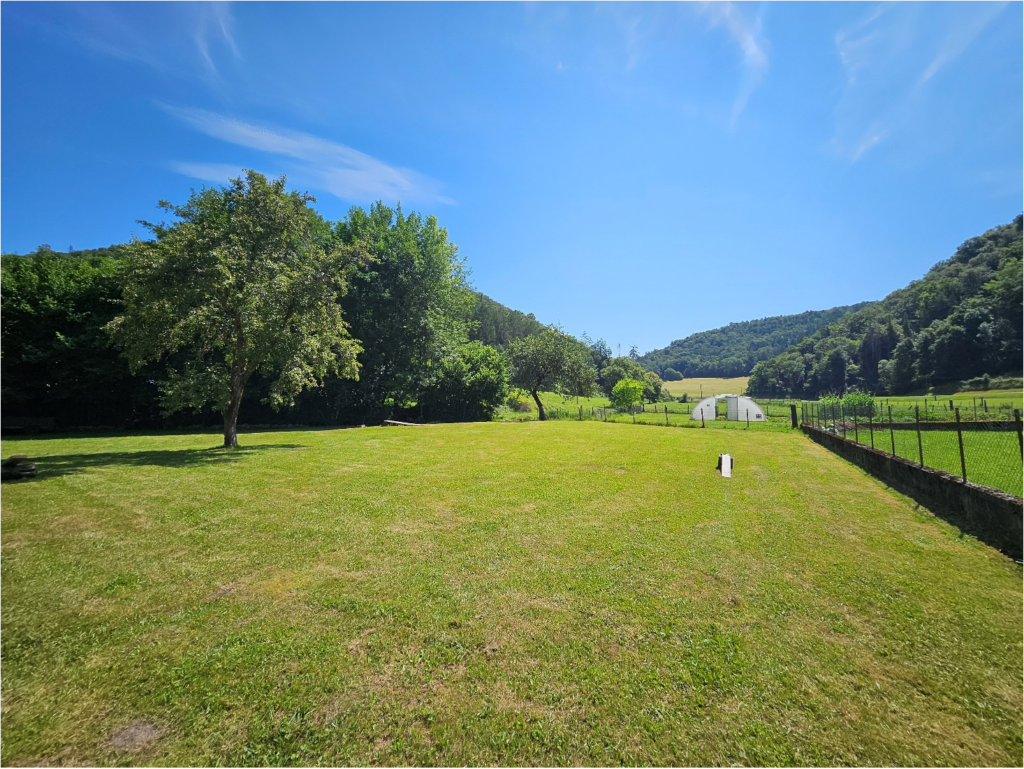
69 464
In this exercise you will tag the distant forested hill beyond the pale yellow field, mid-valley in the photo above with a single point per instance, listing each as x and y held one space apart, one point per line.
735 350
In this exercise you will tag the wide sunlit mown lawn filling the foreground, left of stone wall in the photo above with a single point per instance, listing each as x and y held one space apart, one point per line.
537 593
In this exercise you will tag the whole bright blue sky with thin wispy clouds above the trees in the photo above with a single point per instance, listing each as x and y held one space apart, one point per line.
636 170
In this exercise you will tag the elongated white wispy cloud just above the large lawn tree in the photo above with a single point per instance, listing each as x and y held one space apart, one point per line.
327 165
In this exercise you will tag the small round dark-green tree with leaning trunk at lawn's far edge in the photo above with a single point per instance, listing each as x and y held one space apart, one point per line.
551 361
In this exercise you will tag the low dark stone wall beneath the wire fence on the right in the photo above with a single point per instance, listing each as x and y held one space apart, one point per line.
993 517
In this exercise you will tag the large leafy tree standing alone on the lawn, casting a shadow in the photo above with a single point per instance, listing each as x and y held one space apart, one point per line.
244 282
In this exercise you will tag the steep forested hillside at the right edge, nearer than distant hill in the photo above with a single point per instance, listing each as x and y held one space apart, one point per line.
963 321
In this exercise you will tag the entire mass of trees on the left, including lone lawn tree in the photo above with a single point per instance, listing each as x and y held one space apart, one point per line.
249 302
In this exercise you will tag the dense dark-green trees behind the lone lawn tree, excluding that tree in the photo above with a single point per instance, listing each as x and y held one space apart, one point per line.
429 340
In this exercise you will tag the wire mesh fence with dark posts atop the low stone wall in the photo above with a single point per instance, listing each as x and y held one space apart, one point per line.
988 451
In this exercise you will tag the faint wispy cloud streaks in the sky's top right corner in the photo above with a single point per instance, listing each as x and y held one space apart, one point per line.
890 57
